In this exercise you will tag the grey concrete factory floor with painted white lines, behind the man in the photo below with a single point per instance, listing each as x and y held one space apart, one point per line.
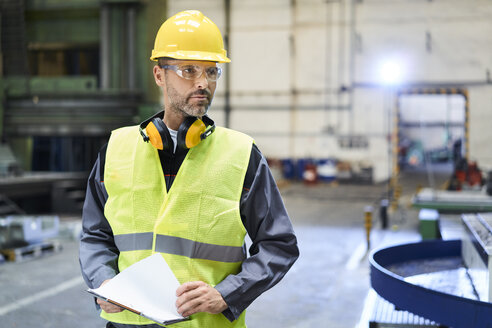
325 288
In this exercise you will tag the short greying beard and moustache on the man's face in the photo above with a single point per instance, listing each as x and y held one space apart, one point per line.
180 104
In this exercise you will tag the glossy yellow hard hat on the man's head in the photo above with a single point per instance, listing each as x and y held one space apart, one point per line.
189 35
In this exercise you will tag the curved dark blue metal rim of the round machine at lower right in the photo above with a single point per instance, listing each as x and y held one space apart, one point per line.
449 310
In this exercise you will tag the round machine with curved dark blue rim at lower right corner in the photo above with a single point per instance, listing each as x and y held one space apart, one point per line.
445 281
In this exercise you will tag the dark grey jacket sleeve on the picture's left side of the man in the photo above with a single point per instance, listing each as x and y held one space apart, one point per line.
98 254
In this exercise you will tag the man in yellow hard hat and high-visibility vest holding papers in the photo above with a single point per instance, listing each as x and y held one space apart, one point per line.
181 187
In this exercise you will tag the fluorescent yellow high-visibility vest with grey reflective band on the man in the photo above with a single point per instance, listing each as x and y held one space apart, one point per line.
196 226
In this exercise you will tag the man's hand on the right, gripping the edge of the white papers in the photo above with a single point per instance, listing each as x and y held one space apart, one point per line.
197 296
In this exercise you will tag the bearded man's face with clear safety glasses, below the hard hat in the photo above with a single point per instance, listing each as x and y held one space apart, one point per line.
188 97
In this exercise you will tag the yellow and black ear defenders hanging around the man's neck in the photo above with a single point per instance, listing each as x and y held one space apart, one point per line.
190 133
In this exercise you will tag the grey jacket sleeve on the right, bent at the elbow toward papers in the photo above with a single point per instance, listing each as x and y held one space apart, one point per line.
274 245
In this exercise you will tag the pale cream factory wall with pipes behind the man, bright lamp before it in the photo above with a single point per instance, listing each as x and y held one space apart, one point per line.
306 77
